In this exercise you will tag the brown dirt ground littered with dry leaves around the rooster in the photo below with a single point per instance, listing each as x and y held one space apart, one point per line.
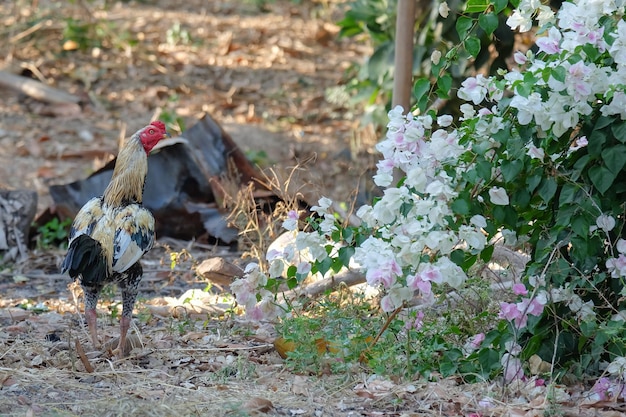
264 75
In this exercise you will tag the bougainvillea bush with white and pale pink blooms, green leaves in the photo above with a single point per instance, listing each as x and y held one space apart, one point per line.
536 160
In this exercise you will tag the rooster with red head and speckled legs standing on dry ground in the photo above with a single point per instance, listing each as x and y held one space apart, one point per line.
112 232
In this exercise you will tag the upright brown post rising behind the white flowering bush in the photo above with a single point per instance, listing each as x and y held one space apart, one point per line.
403 62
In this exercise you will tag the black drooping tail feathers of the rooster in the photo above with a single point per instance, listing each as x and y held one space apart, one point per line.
85 258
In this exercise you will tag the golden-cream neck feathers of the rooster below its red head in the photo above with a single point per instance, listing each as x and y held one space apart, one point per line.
129 175
